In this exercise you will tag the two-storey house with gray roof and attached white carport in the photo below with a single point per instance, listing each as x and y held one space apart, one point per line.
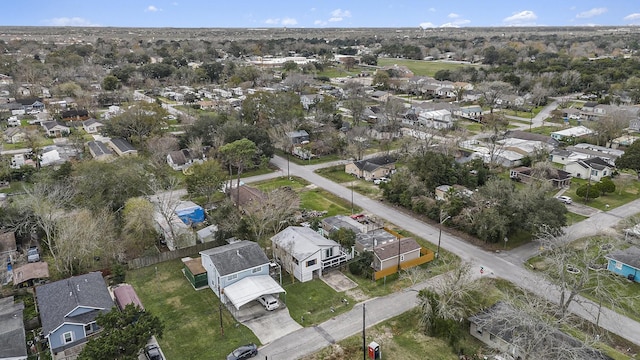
238 273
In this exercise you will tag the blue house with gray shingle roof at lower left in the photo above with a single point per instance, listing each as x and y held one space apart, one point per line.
68 311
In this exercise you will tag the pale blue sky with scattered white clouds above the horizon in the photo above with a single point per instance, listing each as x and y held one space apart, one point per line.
319 13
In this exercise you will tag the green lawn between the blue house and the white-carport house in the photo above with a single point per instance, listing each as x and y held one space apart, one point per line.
191 318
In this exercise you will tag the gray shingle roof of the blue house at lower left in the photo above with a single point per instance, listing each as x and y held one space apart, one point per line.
57 299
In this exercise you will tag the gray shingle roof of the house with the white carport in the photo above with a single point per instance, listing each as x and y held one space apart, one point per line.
232 258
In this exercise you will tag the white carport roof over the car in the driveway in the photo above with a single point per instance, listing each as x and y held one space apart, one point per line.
251 288
